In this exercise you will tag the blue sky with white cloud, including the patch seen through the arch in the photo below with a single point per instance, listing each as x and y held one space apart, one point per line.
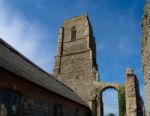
31 26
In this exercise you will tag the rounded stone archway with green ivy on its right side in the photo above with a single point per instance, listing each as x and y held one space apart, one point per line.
101 87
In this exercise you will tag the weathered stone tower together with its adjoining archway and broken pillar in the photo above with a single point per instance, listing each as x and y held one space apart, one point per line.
75 66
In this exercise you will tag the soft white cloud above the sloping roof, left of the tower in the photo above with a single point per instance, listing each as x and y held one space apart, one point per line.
25 36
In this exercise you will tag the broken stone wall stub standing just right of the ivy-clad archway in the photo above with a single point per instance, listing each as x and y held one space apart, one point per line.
134 102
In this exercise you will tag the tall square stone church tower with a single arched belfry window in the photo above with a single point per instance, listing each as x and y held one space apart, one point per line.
75 63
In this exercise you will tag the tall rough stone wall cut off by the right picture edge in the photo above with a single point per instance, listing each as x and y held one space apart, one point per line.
146 52
